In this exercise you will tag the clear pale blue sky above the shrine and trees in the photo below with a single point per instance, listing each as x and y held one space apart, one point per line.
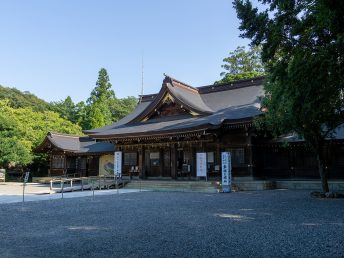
55 48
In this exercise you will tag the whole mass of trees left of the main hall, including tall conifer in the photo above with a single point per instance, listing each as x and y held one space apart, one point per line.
26 119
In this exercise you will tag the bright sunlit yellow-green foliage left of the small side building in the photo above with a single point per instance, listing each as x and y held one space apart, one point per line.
22 129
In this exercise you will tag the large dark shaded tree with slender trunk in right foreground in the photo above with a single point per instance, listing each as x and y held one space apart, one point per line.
303 50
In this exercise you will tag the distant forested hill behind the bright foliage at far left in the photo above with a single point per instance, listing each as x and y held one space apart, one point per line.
18 99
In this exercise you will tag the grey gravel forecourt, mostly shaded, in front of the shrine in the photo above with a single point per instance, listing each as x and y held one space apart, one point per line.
277 223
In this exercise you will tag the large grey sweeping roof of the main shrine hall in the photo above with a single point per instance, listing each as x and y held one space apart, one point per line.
211 106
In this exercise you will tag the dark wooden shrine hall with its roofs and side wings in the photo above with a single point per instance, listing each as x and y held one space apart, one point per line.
161 137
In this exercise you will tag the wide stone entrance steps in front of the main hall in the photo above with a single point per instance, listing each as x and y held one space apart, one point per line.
174 186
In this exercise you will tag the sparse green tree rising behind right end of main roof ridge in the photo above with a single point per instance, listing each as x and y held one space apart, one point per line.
242 64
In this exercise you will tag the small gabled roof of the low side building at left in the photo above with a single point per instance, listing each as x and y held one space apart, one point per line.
74 144
